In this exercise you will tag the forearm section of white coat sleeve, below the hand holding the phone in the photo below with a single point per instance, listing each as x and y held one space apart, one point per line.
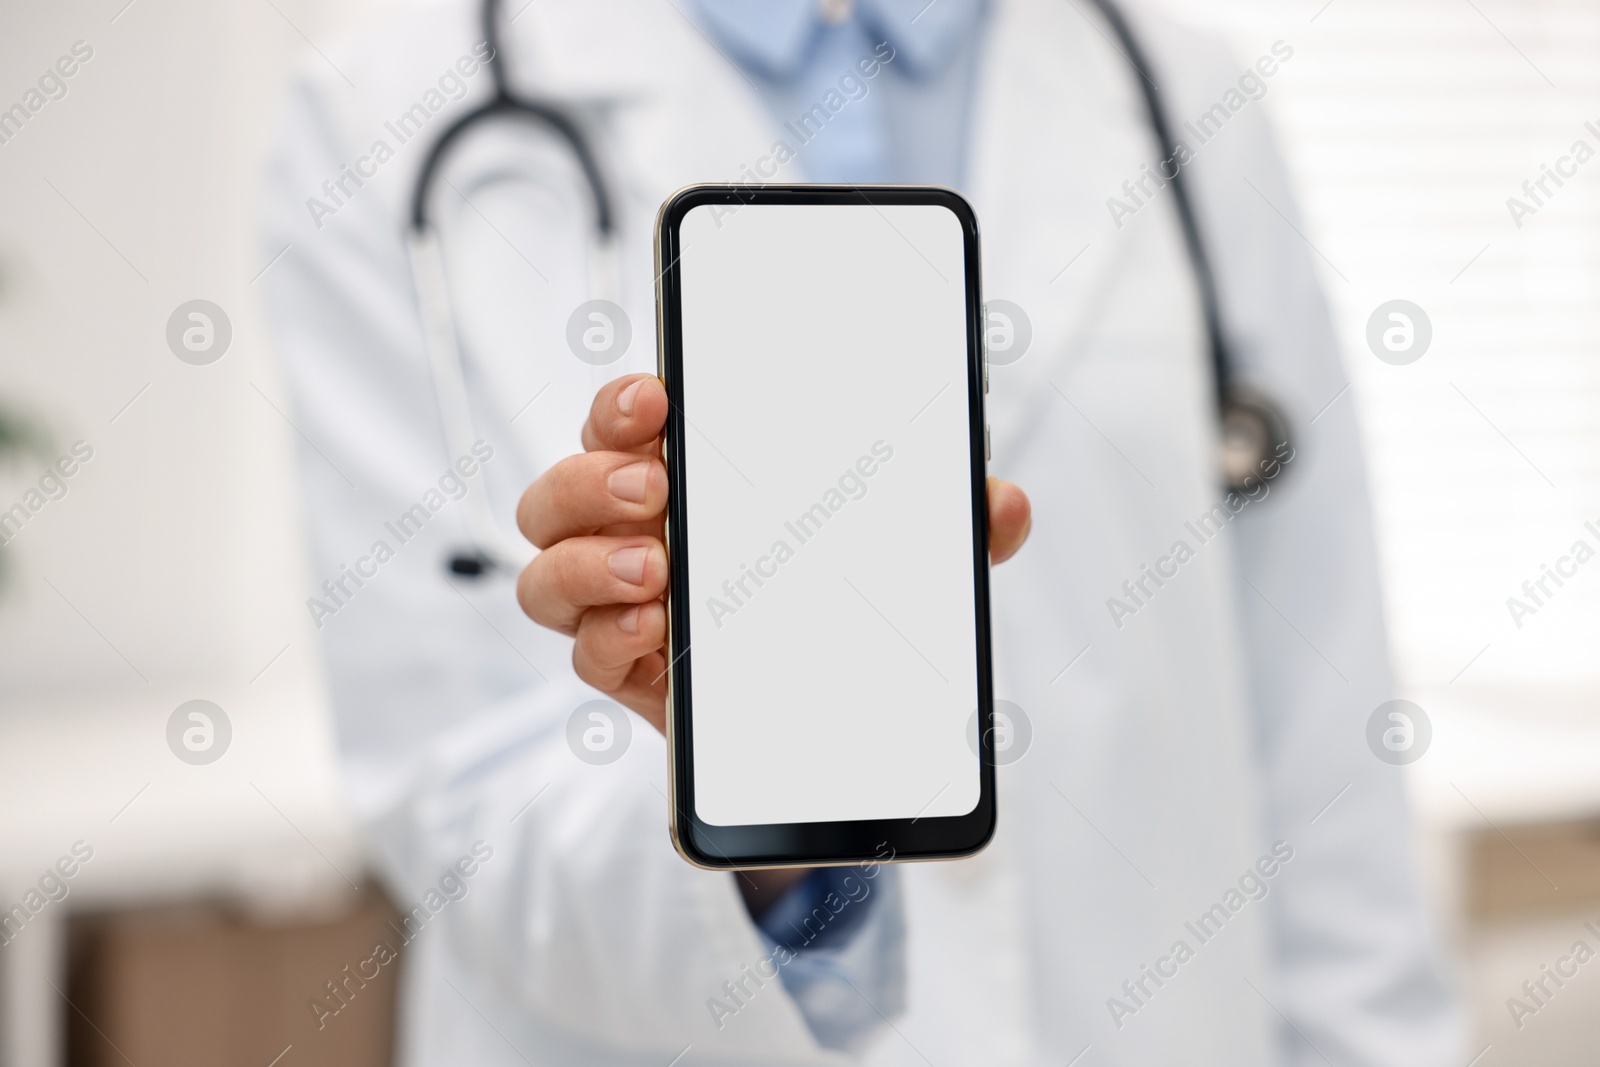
585 916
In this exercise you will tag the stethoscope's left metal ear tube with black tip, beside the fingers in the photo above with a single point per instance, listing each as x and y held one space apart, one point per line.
492 548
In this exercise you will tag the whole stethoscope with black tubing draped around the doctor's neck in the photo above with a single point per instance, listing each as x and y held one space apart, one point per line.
1254 428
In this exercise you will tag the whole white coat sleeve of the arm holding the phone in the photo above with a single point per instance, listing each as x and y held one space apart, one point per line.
454 717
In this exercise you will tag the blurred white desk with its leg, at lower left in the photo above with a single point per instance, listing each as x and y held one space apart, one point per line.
265 826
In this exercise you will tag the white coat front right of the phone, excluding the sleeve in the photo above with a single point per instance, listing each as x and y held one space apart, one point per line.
1108 422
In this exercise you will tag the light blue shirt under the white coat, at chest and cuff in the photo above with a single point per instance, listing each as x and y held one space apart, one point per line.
879 94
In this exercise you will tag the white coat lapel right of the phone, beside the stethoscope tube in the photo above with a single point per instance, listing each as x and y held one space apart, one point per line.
1058 129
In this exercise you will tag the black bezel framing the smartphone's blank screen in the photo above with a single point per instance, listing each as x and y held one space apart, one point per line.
814 844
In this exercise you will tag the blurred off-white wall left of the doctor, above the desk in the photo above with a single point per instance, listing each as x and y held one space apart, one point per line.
126 199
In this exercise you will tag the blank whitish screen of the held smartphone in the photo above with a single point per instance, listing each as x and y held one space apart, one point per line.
842 689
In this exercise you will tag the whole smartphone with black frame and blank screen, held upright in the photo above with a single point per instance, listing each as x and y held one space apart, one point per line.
826 449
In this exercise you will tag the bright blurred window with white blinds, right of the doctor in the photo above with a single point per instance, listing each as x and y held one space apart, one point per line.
1407 127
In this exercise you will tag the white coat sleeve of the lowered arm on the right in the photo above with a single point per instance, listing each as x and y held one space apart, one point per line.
1361 975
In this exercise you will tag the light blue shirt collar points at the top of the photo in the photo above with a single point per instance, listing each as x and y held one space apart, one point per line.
774 39
